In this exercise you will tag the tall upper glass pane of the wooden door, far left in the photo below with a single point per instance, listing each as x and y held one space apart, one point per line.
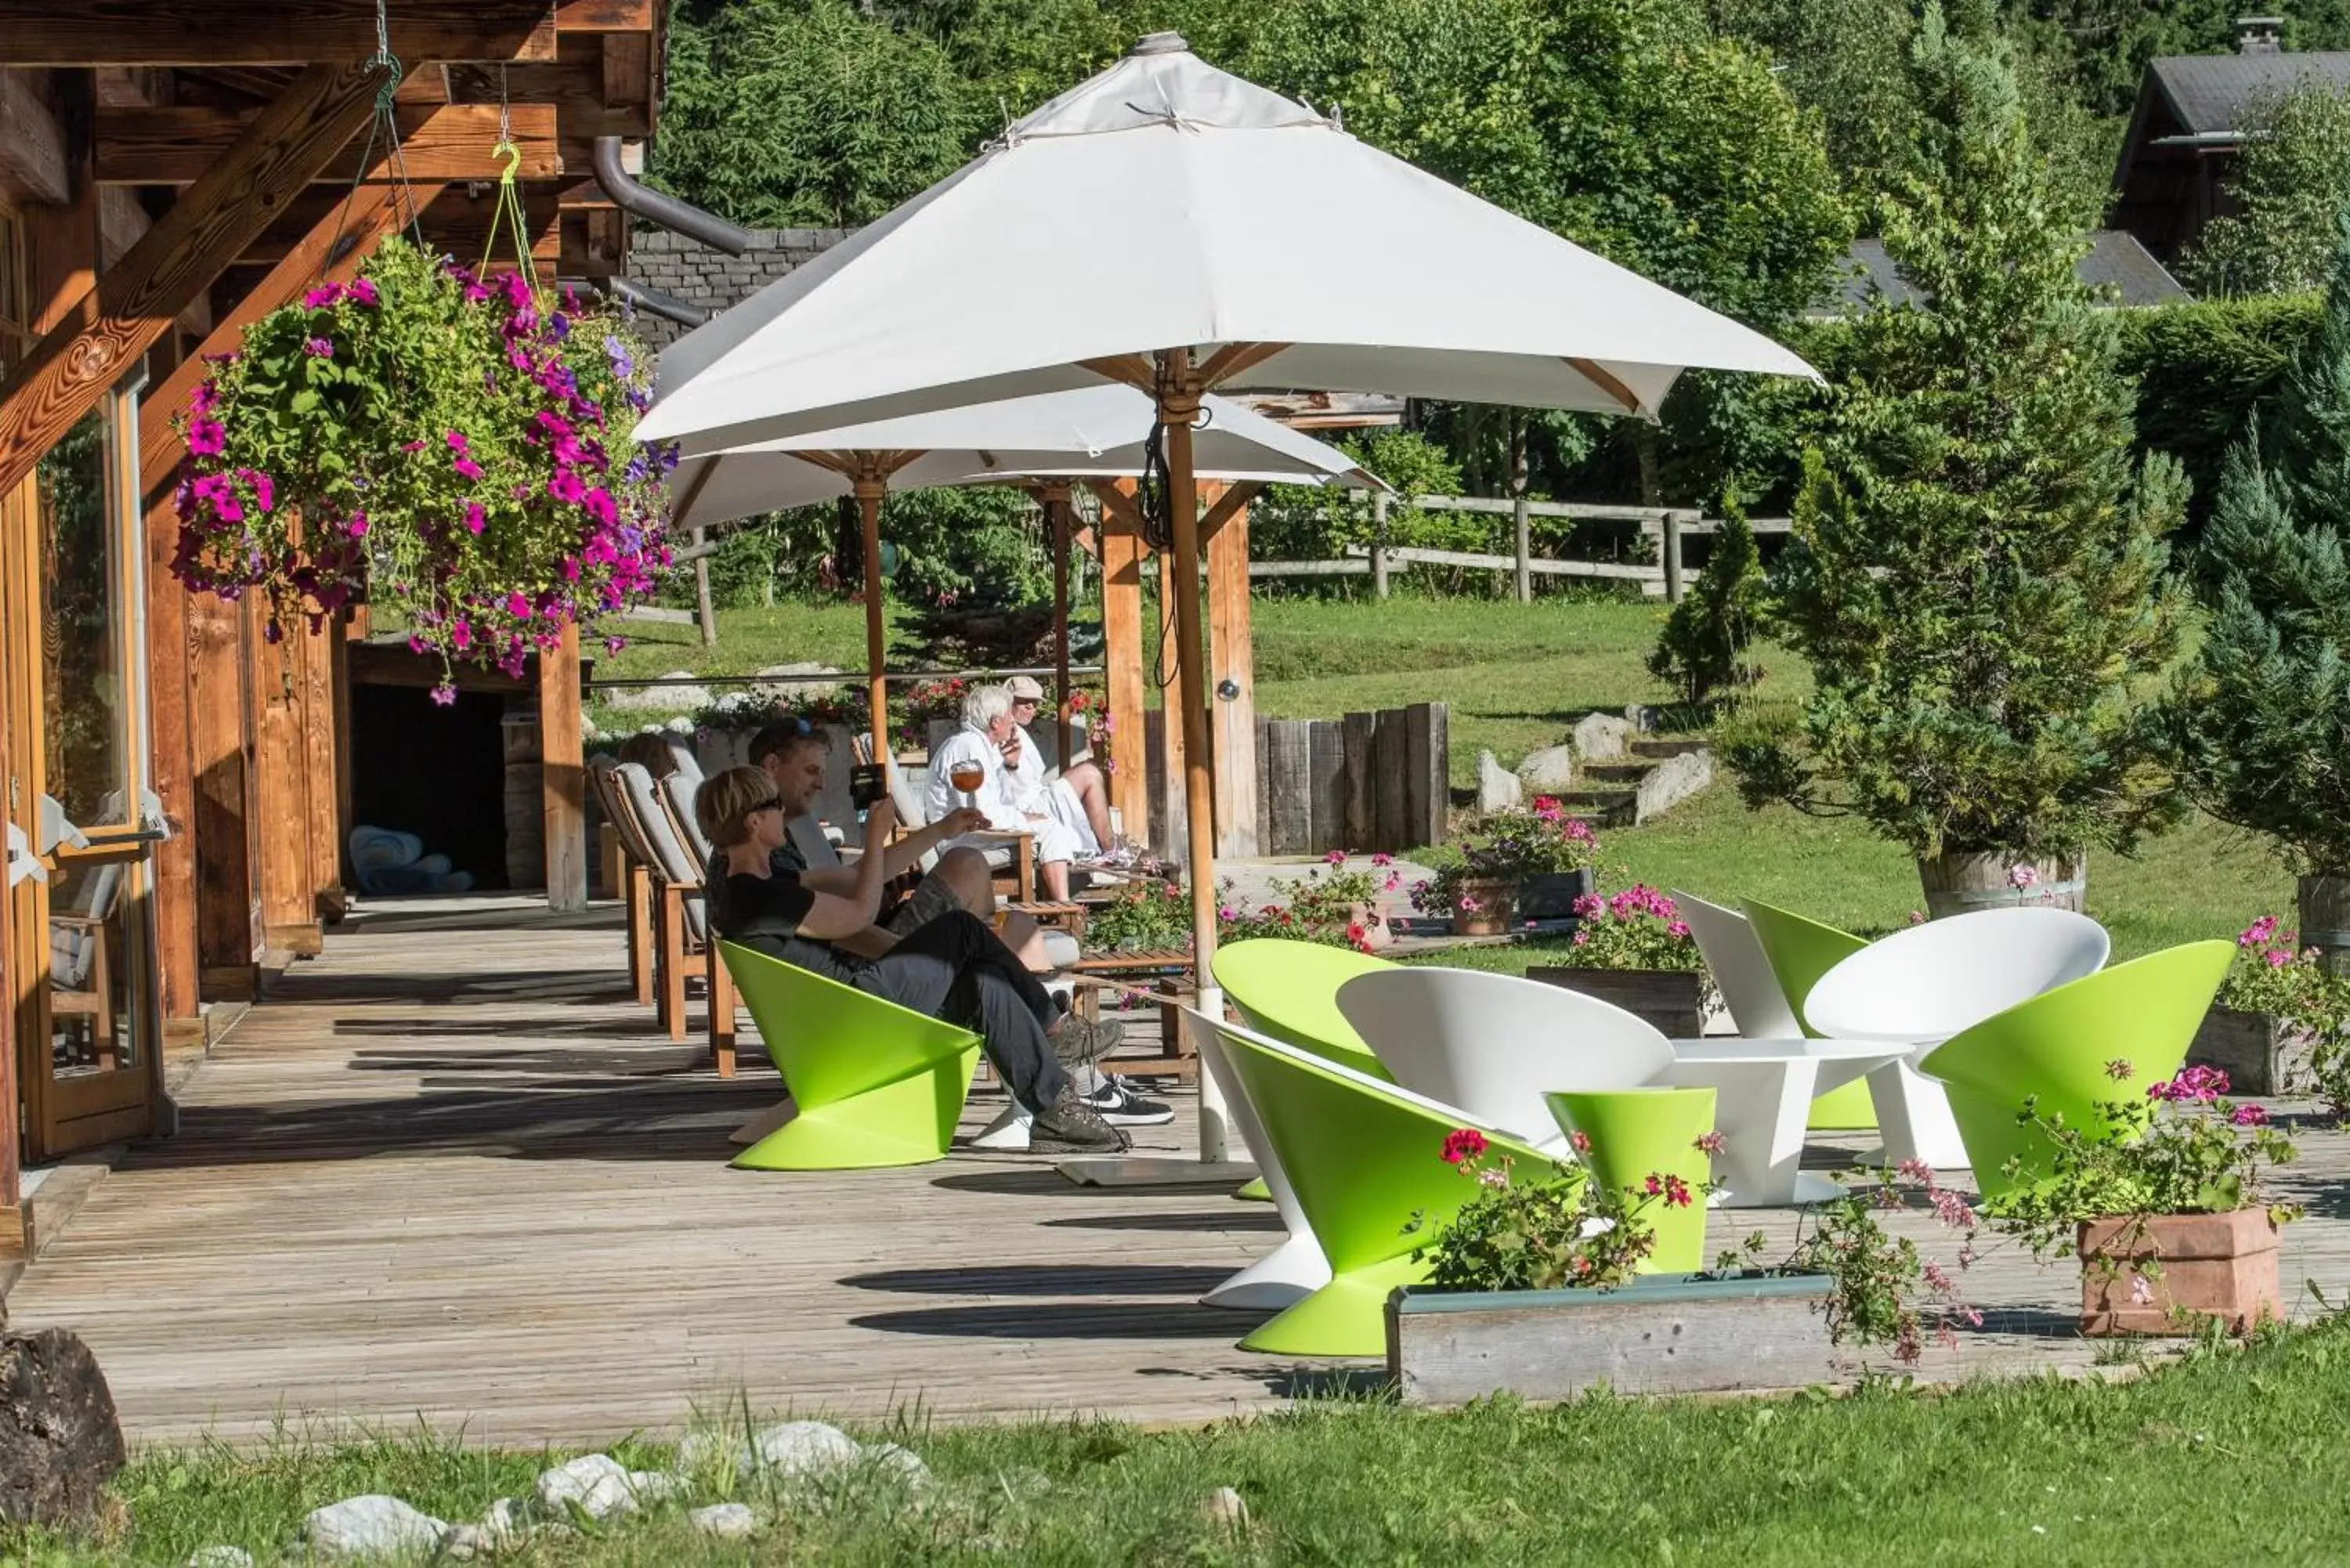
86 704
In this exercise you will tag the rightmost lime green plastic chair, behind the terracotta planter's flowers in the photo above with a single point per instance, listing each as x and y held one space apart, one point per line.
2055 1050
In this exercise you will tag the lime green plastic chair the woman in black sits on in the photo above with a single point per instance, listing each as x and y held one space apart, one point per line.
873 1083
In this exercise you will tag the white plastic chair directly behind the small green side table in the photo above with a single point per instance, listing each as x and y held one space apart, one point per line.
1496 1045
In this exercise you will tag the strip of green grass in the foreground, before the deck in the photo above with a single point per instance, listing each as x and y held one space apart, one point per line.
2227 1459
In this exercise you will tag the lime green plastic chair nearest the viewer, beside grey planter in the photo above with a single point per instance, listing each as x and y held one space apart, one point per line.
1362 1158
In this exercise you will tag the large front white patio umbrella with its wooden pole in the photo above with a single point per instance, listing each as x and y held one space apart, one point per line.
1244 260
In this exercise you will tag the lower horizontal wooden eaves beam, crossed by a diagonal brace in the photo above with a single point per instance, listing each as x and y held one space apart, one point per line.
173 147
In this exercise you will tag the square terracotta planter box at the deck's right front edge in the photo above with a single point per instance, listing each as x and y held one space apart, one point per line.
2210 1266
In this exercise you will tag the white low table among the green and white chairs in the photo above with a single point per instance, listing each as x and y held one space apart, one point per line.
1764 1097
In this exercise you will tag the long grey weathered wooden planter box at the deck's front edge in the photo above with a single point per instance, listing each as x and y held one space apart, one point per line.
1667 1334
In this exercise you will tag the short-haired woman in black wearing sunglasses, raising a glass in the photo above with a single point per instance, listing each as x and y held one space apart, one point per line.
953 967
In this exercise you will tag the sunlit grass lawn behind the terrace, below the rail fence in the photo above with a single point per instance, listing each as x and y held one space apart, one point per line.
1517 678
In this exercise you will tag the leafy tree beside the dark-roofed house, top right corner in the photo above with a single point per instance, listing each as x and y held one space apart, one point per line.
2288 192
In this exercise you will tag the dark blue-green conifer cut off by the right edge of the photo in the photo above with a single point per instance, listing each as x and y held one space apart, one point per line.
2262 721
